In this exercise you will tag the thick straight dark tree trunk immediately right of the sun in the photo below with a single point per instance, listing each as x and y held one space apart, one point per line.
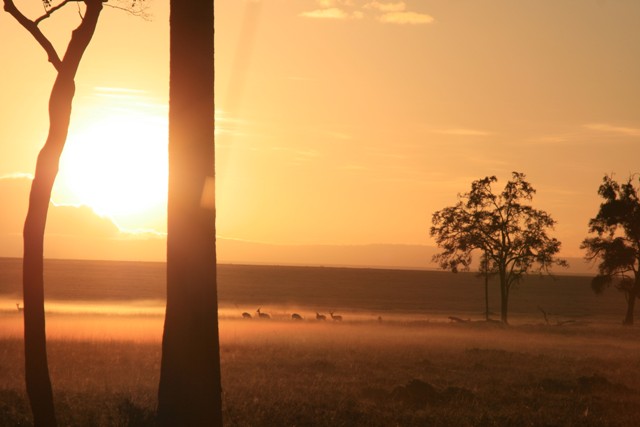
190 388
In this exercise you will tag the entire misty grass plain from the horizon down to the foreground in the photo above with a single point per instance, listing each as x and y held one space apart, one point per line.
395 358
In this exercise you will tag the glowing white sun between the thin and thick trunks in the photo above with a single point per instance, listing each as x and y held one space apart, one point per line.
117 165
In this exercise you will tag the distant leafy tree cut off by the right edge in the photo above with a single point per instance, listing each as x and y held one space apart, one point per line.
616 243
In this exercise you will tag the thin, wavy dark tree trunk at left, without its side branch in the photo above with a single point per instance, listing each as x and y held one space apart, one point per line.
38 383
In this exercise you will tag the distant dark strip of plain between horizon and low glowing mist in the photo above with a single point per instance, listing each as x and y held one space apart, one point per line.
139 287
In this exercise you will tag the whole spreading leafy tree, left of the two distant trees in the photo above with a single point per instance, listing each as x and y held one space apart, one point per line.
510 233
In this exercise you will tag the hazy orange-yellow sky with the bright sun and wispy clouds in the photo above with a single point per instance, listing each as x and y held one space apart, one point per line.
338 122
